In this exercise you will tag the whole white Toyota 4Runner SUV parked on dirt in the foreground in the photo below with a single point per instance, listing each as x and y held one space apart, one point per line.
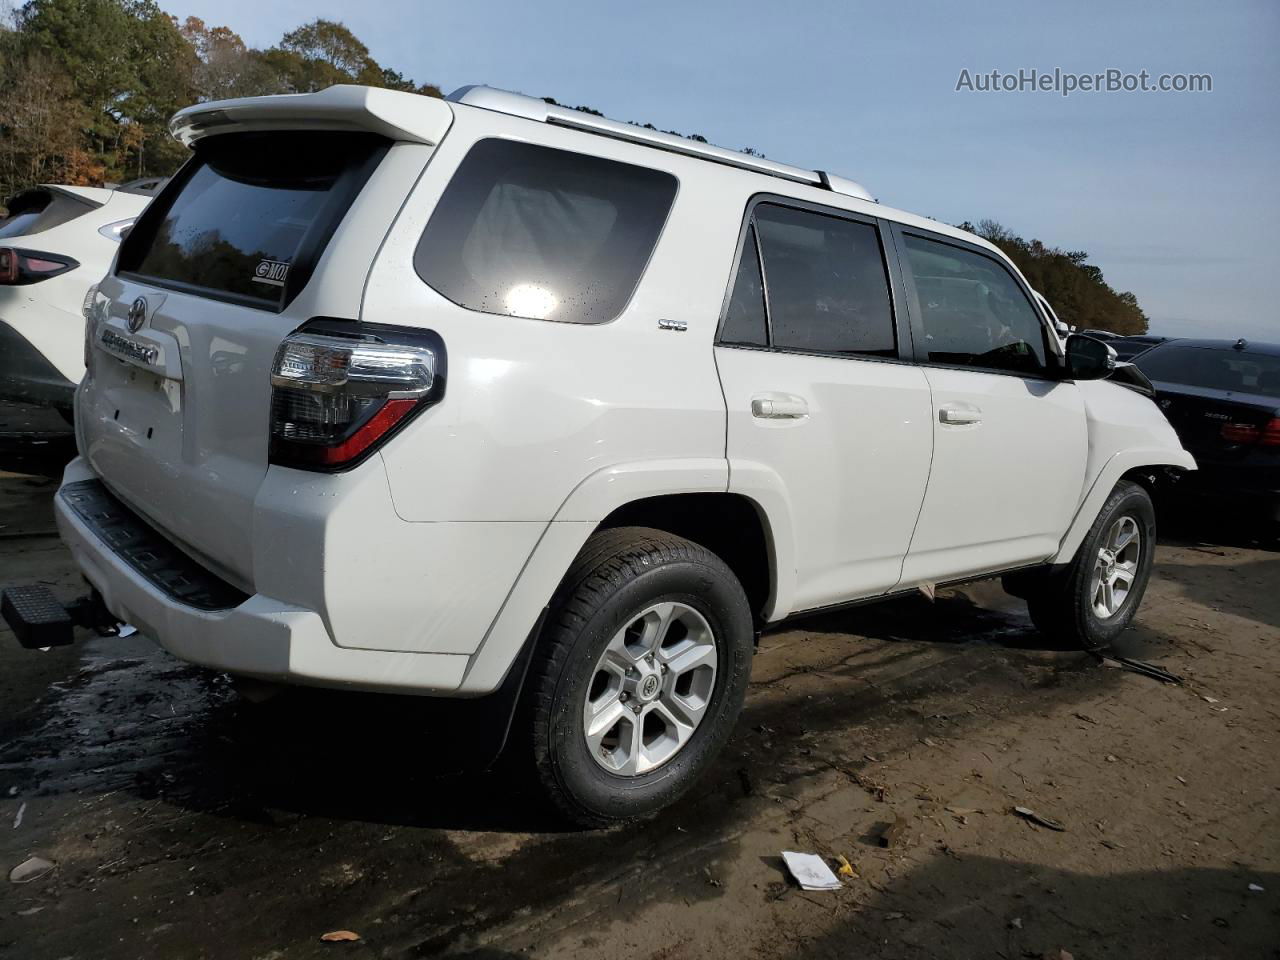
491 397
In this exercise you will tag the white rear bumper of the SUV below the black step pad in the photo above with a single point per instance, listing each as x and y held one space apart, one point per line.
262 637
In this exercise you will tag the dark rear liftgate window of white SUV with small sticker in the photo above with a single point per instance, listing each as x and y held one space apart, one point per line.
250 216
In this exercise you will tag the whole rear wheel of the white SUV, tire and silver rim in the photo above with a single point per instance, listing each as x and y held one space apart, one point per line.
639 676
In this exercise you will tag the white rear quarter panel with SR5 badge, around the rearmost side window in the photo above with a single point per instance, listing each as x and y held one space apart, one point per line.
534 408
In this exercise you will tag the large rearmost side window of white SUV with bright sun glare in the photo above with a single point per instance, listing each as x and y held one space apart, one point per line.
529 231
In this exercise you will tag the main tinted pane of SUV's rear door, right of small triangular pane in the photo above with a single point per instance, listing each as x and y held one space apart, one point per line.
826 284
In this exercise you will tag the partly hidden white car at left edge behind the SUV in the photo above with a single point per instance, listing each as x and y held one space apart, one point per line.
54 244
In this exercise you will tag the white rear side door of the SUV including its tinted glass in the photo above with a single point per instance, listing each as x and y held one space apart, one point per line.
821 403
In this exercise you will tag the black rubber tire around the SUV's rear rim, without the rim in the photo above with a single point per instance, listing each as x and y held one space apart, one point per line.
616 577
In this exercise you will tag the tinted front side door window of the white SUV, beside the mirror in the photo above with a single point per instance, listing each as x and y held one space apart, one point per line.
973 312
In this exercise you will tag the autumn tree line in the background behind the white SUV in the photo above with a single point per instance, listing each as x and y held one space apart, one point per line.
88 89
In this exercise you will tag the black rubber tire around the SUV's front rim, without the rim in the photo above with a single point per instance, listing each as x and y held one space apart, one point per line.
1062 606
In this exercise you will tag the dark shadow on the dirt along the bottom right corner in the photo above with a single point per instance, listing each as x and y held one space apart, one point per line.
1020 911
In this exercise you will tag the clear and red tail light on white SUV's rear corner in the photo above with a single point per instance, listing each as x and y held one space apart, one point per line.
340 391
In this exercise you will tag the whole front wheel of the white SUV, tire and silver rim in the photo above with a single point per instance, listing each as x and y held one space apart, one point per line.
1098 596
